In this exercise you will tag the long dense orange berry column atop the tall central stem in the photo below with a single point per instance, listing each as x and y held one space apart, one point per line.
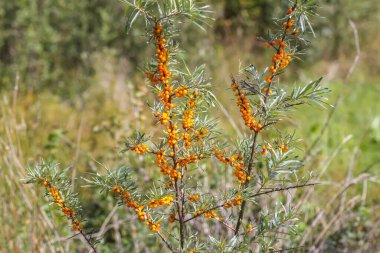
162 55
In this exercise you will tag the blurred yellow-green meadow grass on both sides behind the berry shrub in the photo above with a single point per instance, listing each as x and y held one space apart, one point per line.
81 134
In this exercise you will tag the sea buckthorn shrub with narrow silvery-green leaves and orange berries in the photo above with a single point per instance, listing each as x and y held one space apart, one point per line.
190 141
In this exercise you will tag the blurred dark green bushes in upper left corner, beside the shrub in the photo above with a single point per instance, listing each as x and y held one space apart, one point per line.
52 44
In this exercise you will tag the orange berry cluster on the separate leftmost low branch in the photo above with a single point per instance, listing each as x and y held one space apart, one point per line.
58 199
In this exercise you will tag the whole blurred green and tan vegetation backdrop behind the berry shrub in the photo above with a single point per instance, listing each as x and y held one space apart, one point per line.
72 88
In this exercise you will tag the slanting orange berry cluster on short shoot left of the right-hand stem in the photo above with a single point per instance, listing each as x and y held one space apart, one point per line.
245 109
